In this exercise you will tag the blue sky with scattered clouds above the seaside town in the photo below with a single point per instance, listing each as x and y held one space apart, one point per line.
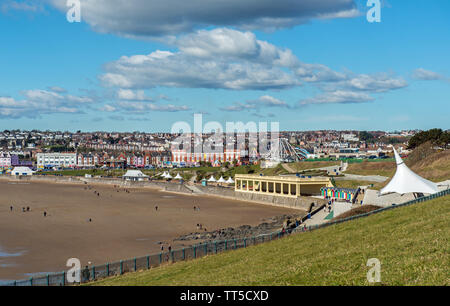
122 69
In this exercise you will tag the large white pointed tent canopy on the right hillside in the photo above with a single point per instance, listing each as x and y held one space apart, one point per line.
406 181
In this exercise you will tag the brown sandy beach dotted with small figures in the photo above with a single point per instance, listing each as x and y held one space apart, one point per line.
123 224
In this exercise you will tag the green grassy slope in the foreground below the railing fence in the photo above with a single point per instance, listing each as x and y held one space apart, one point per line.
411 242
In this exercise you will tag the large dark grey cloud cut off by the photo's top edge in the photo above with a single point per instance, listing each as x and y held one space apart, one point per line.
144 18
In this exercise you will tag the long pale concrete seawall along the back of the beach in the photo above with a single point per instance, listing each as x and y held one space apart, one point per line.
302 203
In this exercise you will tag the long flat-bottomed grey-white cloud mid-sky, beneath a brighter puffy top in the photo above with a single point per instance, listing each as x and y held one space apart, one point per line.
186 71
